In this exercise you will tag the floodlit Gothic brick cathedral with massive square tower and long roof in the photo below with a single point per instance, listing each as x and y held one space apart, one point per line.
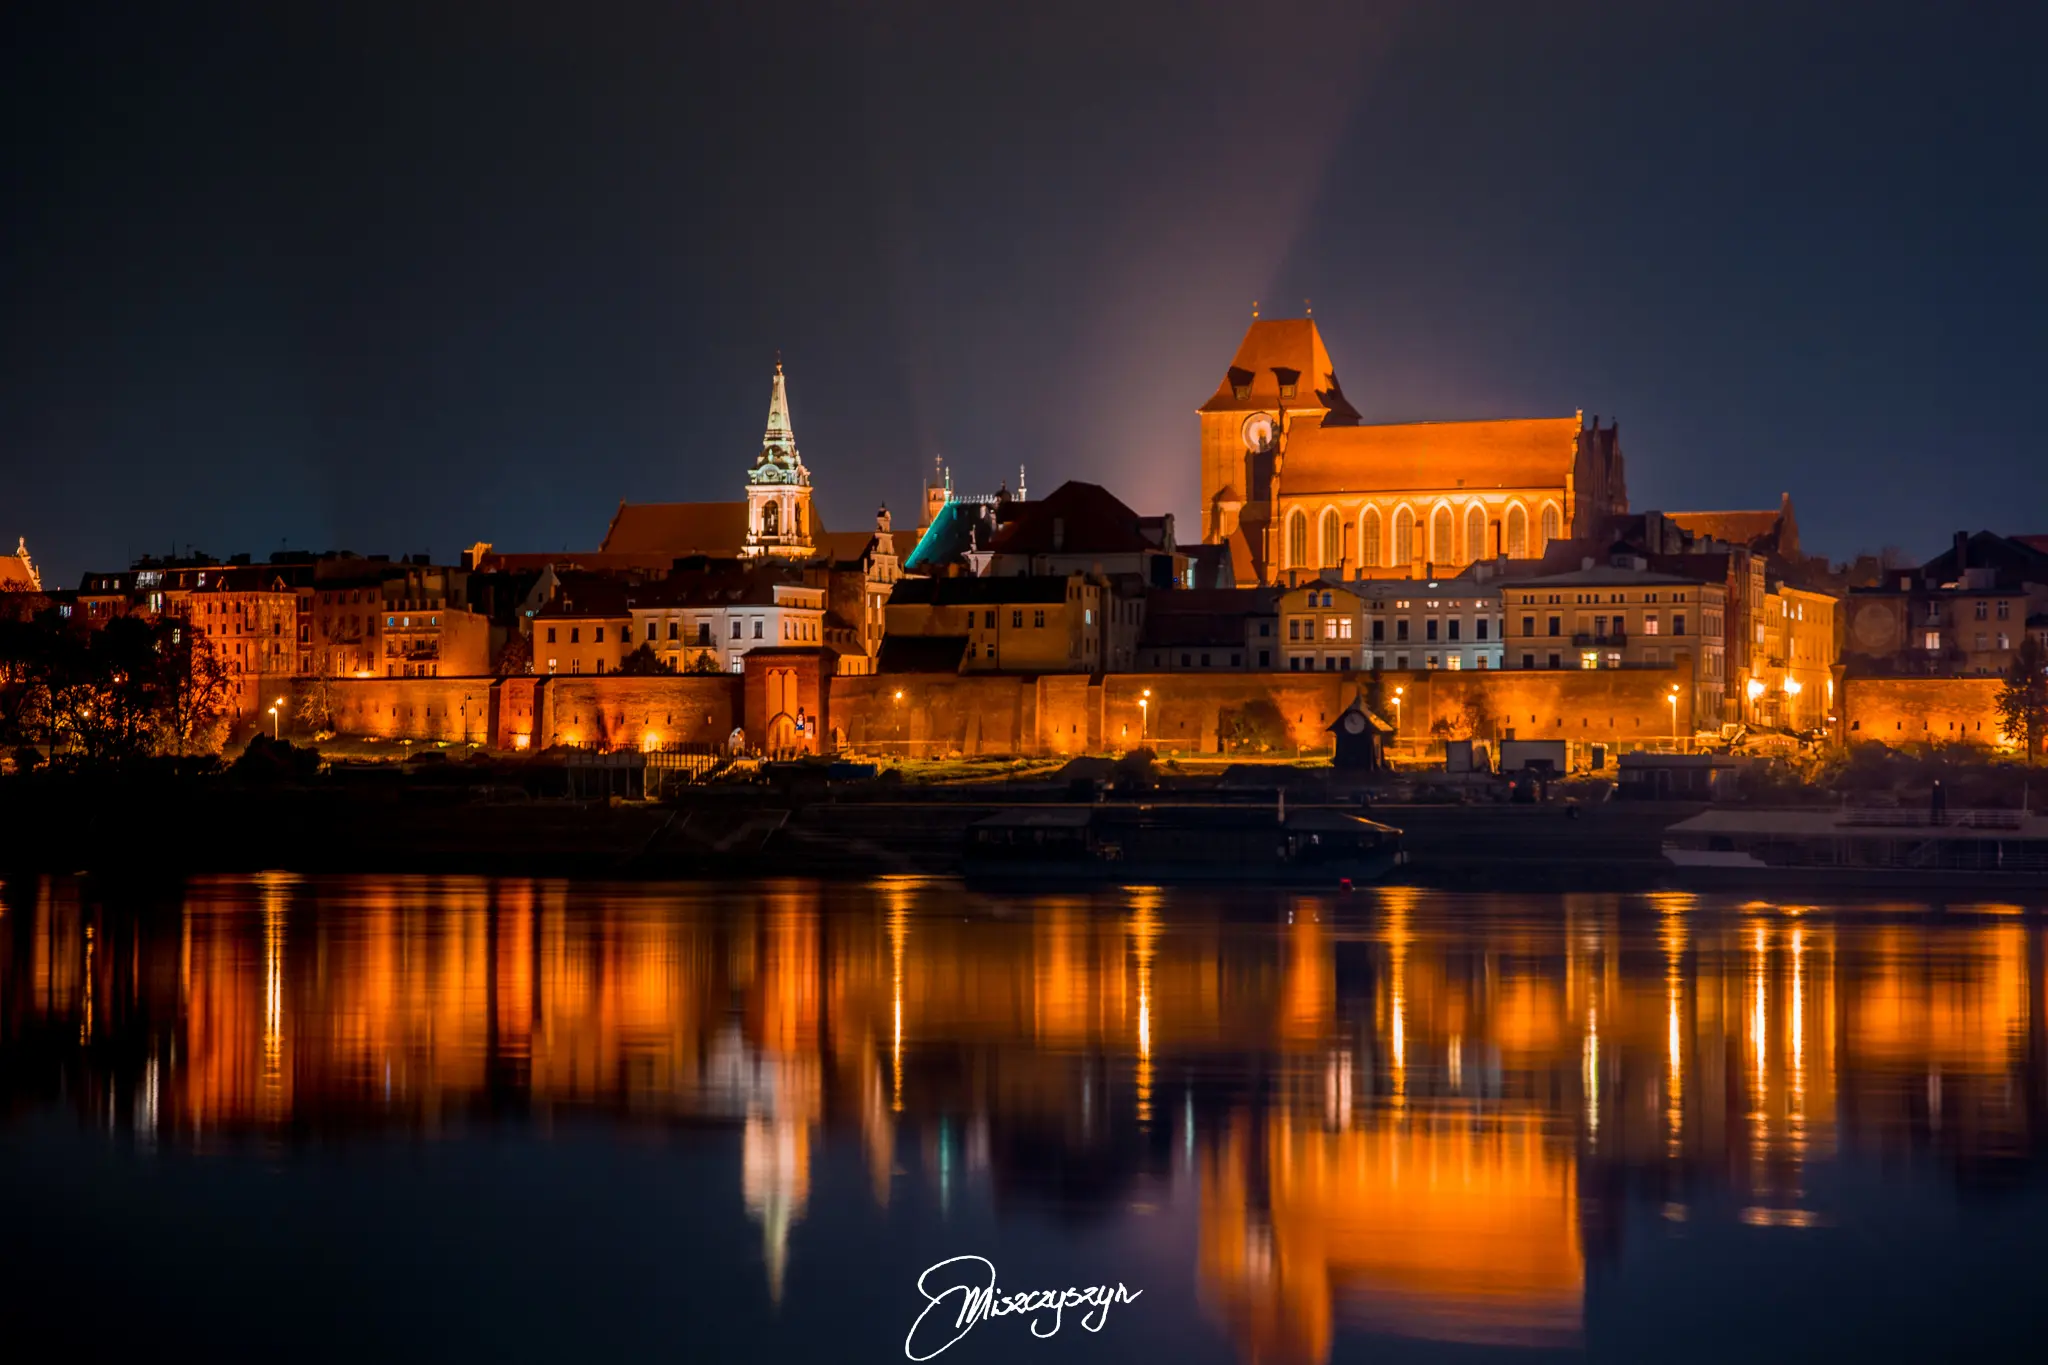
1297 484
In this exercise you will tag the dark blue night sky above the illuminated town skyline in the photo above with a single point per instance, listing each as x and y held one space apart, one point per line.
402 277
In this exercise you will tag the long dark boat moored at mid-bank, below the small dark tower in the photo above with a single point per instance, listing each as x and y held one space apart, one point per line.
1175 844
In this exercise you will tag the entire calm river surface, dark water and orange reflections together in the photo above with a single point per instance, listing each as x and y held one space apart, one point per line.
507 1120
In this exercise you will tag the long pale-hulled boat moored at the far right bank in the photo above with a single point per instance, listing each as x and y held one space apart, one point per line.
1863 848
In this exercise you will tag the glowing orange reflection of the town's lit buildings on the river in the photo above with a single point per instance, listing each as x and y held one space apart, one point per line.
1402 1114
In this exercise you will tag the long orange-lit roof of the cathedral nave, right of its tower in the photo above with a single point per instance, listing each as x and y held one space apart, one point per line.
1512 453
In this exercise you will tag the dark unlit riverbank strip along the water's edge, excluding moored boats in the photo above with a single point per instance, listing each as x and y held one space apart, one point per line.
724 832
